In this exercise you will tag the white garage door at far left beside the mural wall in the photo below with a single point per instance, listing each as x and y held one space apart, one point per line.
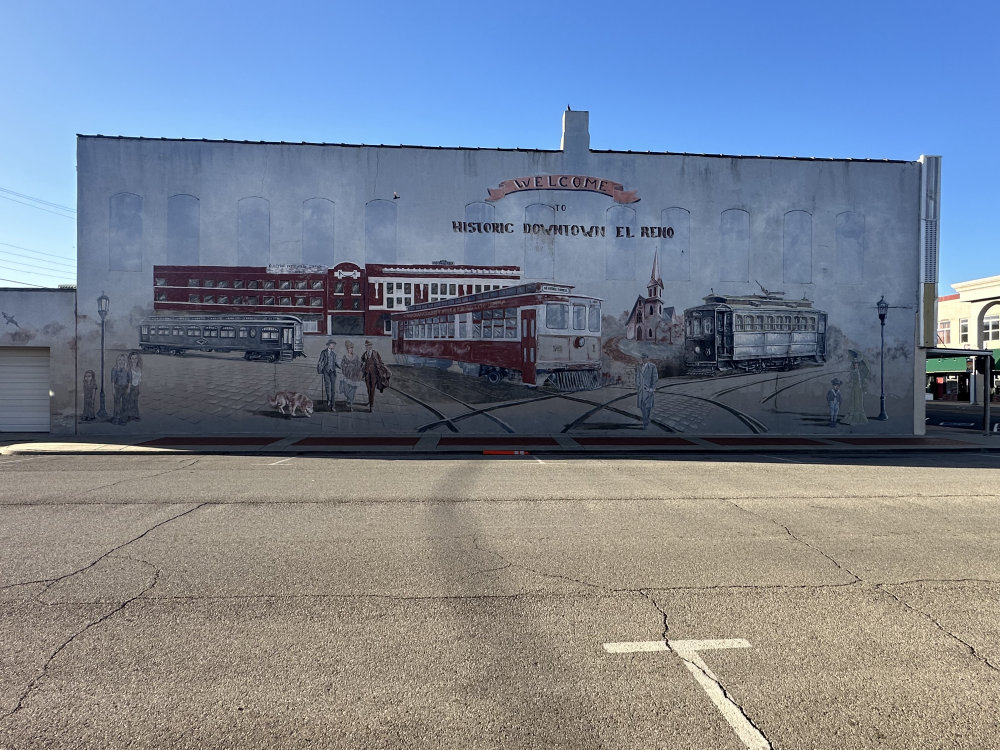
24 390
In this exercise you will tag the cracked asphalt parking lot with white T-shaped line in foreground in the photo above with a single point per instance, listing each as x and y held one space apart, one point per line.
245 601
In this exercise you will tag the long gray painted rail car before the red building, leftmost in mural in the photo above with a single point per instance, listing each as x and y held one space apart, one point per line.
269 338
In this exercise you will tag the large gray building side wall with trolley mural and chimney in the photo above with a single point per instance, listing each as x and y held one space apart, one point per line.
503 290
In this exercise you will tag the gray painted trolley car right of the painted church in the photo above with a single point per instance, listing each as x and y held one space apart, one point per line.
752 333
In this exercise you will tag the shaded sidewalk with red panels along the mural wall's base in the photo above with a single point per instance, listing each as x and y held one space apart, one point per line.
936 439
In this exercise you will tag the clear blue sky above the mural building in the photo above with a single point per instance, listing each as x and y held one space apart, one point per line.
850 79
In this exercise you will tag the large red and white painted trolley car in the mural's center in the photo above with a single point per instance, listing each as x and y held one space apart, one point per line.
538 333
